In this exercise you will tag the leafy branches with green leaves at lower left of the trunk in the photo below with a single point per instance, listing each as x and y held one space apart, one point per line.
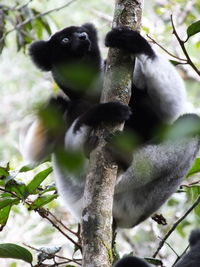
15 192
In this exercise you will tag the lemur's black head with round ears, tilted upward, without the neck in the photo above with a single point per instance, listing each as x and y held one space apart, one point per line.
71 43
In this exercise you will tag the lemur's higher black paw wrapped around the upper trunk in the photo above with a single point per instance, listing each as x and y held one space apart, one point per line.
128 40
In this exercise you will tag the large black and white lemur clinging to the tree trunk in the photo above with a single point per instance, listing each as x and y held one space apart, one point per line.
158 97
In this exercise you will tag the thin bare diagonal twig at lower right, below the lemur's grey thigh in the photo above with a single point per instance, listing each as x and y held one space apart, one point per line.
197 201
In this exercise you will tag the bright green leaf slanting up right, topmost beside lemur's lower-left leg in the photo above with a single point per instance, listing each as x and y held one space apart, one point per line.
38 179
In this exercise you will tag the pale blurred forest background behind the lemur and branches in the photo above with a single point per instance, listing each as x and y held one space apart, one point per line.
23 87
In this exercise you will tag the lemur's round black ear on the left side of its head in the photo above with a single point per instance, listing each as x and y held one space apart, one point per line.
41 54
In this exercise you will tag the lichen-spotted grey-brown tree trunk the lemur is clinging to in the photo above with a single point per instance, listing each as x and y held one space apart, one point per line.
100 182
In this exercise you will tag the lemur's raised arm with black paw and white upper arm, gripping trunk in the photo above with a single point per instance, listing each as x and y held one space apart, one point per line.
152 73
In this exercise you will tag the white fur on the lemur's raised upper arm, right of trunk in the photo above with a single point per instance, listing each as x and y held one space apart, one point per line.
164 85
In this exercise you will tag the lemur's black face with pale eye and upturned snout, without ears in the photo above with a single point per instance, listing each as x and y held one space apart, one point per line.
72 42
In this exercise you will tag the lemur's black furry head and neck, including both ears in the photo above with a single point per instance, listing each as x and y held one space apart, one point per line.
79 51
